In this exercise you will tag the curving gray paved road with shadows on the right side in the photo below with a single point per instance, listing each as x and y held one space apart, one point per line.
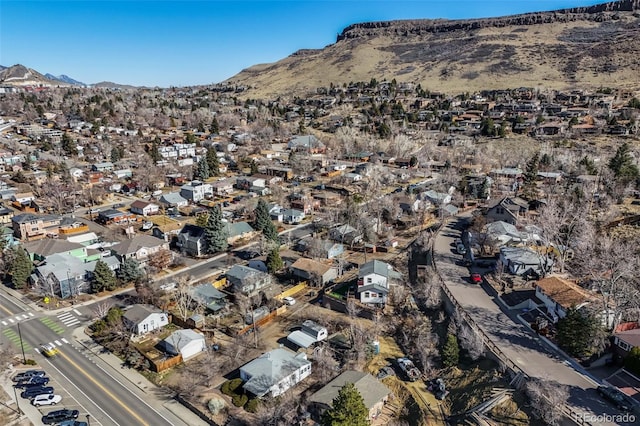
513 338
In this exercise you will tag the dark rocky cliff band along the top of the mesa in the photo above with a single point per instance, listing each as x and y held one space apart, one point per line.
597 13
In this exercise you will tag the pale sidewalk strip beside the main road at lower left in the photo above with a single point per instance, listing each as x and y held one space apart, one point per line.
147 390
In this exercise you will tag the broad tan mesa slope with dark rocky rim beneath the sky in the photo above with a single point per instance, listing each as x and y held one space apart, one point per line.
582 47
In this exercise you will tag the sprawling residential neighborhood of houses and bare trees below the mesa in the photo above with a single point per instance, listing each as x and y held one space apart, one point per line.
262 254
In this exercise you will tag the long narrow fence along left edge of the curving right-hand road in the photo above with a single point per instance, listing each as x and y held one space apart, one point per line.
513 367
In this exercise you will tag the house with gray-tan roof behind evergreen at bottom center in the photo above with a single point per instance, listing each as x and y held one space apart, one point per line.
373 392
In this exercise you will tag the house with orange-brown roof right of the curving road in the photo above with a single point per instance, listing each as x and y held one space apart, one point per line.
559 295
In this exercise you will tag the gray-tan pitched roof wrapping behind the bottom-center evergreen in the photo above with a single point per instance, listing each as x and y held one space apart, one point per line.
370 388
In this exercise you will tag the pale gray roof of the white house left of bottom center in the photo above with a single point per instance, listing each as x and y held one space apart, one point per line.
271 367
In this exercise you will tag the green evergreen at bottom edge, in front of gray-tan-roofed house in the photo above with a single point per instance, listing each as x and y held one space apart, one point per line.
347 409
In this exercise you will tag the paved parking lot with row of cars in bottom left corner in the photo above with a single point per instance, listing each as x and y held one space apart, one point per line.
67 401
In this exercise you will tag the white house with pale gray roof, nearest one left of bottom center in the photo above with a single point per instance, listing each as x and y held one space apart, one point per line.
275 372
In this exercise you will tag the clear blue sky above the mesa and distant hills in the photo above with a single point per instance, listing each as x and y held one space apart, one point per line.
179 43
